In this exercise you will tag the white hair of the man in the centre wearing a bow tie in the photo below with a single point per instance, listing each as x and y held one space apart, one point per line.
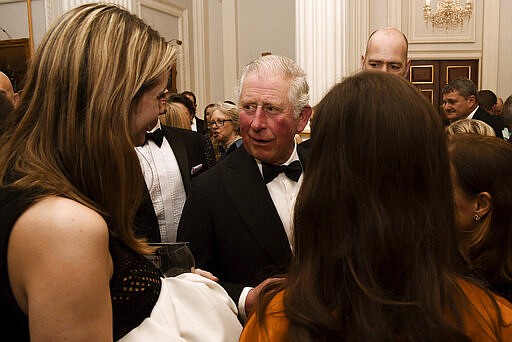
288 69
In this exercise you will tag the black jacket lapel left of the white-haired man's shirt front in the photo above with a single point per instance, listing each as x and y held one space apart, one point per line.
249 195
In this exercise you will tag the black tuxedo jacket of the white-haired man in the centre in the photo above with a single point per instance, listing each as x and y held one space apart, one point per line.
232 224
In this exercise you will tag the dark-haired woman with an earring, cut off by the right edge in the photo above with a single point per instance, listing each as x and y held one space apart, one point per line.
482 184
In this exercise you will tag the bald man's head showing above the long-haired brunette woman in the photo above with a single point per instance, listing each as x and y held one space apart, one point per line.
386 51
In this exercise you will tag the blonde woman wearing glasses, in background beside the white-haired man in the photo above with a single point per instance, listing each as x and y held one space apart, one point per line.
225 127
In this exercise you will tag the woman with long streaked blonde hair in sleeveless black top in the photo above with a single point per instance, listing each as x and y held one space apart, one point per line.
71 266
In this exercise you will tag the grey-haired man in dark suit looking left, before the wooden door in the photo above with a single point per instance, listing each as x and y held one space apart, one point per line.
460 101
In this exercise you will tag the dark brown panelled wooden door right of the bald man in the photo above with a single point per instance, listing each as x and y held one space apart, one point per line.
430 76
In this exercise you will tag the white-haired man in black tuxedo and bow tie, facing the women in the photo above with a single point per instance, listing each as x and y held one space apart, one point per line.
239 215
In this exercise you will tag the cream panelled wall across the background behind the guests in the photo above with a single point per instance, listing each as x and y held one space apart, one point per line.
269 26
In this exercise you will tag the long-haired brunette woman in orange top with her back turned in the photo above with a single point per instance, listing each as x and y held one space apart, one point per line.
374 230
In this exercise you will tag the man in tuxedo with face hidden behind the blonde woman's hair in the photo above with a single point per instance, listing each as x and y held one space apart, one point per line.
170 158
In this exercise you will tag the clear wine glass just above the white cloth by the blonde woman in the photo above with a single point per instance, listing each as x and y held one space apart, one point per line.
173 258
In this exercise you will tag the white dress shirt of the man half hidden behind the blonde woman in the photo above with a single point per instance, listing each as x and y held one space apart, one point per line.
163 179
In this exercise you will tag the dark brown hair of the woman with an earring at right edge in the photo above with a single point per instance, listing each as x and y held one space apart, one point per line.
483 164
